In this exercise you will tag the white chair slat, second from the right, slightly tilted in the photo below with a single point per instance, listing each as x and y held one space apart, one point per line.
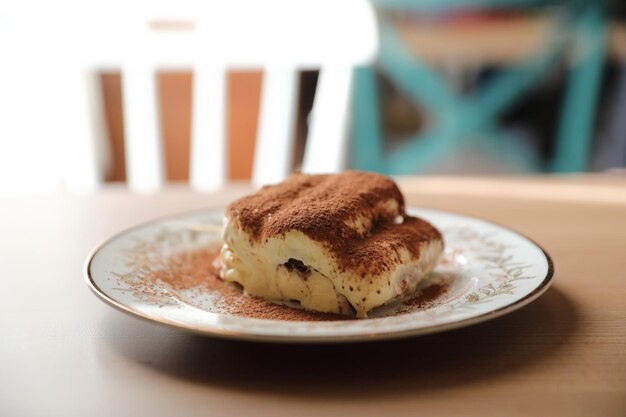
273 157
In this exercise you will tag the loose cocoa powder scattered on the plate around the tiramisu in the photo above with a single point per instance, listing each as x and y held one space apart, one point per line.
197 272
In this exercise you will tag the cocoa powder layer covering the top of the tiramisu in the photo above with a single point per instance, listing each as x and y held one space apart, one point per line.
323 206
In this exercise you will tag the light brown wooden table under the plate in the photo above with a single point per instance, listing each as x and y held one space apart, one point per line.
65 353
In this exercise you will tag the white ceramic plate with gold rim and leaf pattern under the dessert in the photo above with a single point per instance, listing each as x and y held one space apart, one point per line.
488 270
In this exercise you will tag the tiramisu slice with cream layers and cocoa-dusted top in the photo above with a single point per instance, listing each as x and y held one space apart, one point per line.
332 243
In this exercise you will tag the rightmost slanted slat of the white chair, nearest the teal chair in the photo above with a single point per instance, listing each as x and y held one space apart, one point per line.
327 140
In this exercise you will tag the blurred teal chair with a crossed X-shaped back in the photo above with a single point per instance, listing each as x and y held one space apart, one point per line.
457 120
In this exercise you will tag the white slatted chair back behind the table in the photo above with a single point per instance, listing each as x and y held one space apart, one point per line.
209 38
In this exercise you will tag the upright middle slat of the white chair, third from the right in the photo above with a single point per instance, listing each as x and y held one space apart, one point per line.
208 164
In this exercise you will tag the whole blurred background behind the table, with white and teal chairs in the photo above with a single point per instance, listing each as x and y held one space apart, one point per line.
144 93
